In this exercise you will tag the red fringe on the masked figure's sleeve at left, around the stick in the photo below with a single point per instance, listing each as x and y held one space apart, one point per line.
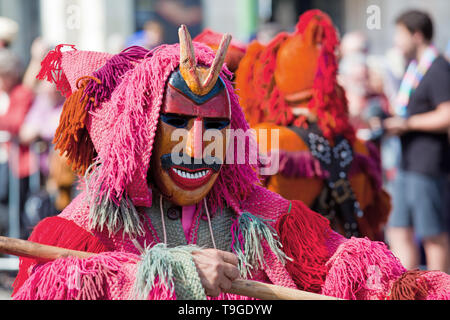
60 232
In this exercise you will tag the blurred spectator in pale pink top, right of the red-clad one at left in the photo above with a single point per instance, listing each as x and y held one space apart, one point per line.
37 131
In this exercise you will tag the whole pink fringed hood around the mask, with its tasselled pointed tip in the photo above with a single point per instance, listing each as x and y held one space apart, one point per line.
123 101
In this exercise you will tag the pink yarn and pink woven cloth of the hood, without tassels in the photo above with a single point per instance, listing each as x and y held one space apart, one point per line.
123 128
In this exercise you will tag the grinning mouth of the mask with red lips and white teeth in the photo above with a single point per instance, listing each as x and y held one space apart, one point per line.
187 173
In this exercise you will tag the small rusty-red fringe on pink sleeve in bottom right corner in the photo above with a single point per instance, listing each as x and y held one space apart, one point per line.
410 286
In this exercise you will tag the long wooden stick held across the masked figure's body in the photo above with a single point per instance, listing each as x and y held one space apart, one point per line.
254 289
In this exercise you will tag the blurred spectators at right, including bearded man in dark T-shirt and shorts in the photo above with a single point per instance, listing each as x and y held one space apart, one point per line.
401 101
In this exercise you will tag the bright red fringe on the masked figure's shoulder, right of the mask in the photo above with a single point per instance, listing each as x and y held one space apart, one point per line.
303 234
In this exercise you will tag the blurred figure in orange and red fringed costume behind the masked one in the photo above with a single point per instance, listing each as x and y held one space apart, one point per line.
290 85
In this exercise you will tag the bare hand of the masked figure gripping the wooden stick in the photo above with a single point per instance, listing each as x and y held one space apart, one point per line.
217 270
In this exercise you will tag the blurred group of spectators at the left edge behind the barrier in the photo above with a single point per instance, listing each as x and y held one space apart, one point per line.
29 116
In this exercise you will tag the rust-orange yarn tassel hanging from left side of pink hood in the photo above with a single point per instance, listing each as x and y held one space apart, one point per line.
72 137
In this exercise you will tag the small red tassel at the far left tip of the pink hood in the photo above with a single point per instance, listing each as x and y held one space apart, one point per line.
51 70
